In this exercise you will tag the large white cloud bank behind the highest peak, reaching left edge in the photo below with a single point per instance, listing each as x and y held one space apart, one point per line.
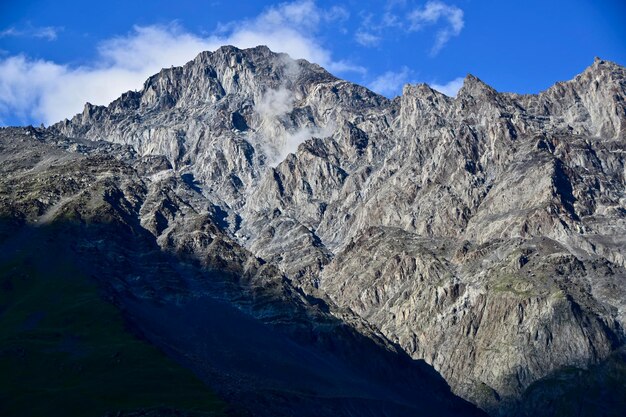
35 90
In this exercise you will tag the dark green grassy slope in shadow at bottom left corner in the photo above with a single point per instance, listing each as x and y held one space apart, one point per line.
64 351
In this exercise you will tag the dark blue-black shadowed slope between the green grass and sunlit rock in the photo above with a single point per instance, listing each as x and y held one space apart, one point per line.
265 349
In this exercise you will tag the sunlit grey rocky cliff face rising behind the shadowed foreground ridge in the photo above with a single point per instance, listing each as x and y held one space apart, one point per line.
484 234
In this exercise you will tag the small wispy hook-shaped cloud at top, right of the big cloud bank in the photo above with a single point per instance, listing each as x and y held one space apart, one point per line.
431 14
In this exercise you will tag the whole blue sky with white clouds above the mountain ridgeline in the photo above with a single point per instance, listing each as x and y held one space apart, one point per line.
55 56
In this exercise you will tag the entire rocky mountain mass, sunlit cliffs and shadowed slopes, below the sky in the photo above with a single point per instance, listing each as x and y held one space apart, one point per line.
265 239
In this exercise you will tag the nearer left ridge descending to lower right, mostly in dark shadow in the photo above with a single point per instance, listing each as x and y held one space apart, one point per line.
88 292
